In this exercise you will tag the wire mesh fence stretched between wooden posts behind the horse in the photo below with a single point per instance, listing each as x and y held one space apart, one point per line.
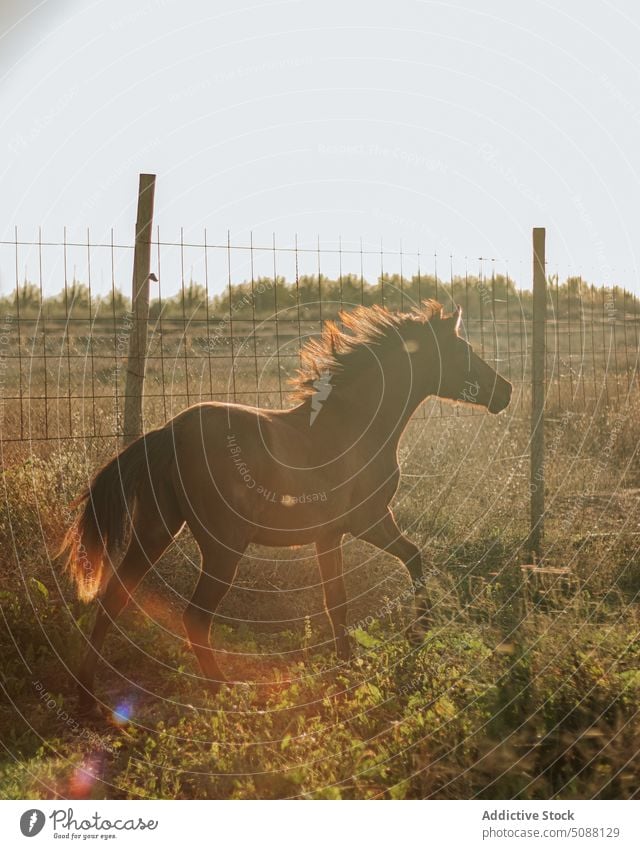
228 320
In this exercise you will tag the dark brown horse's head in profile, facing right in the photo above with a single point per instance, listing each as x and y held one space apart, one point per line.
458 374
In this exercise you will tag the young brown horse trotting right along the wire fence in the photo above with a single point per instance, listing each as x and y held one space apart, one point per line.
239 475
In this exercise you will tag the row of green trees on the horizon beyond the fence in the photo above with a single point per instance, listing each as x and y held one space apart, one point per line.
313 297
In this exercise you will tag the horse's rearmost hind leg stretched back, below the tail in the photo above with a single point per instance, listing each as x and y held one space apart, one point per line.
152 533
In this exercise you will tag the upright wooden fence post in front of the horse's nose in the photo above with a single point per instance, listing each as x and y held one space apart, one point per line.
538 360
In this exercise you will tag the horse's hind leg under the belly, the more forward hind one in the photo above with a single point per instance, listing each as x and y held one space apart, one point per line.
219 566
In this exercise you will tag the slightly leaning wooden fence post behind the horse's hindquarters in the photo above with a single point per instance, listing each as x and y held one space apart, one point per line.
140 311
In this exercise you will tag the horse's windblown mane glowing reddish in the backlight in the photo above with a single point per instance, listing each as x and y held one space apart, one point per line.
337 356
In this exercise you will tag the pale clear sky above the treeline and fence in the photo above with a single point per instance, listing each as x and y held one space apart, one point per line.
445 128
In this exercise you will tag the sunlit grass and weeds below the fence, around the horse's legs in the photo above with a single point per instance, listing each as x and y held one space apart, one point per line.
523 686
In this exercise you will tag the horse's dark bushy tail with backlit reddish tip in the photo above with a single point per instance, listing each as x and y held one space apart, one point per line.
103 525
